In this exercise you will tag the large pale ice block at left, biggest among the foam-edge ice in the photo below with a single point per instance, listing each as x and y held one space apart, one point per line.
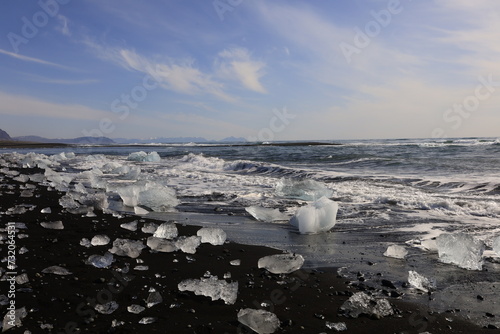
157 197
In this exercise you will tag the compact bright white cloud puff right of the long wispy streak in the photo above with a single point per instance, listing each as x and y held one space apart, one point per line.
236 64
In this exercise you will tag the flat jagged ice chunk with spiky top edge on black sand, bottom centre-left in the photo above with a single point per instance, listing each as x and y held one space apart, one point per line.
211 287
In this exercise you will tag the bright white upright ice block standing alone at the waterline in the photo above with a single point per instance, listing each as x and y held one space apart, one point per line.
320 216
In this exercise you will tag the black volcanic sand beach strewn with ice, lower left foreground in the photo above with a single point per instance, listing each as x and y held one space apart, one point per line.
303 300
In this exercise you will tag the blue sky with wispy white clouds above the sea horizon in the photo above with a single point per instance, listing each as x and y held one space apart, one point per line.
263 70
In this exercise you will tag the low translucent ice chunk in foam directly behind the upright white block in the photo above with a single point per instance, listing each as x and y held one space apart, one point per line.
307 190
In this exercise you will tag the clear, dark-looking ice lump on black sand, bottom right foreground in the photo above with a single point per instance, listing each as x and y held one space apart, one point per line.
360 303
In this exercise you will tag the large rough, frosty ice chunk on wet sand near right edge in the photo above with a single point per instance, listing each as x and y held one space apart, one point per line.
461 249
